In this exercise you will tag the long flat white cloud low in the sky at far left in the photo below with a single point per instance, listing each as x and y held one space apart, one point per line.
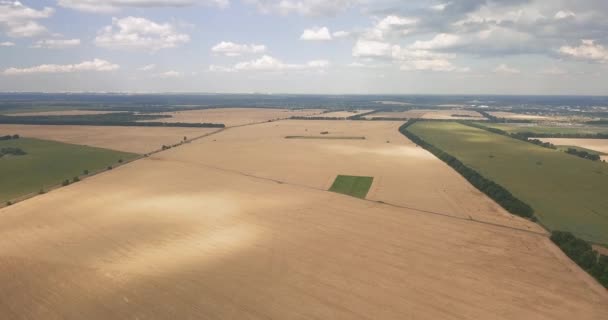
96 65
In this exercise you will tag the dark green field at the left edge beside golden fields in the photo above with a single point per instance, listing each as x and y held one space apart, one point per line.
48 163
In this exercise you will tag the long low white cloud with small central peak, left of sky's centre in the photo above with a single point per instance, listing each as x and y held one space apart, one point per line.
271 64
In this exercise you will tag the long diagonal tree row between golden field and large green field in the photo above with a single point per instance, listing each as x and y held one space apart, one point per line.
495 191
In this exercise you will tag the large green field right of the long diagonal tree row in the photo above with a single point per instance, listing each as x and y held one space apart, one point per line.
567 193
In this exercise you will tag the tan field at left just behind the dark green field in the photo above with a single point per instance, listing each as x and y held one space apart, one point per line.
128 139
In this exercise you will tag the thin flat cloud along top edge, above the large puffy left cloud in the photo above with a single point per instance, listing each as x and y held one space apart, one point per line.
105 6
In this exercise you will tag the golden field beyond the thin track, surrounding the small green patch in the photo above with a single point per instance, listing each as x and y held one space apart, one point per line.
404 174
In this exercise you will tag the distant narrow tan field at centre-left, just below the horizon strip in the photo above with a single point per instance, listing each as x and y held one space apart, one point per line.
236 116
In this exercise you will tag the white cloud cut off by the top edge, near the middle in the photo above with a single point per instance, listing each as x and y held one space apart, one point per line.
303 7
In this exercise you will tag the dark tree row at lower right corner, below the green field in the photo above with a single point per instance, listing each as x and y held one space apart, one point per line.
583 254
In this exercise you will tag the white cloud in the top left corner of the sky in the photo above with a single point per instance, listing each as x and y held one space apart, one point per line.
21 21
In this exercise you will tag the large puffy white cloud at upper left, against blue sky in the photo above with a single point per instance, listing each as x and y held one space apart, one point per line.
133 33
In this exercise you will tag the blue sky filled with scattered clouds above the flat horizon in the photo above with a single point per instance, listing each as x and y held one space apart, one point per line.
552 47
